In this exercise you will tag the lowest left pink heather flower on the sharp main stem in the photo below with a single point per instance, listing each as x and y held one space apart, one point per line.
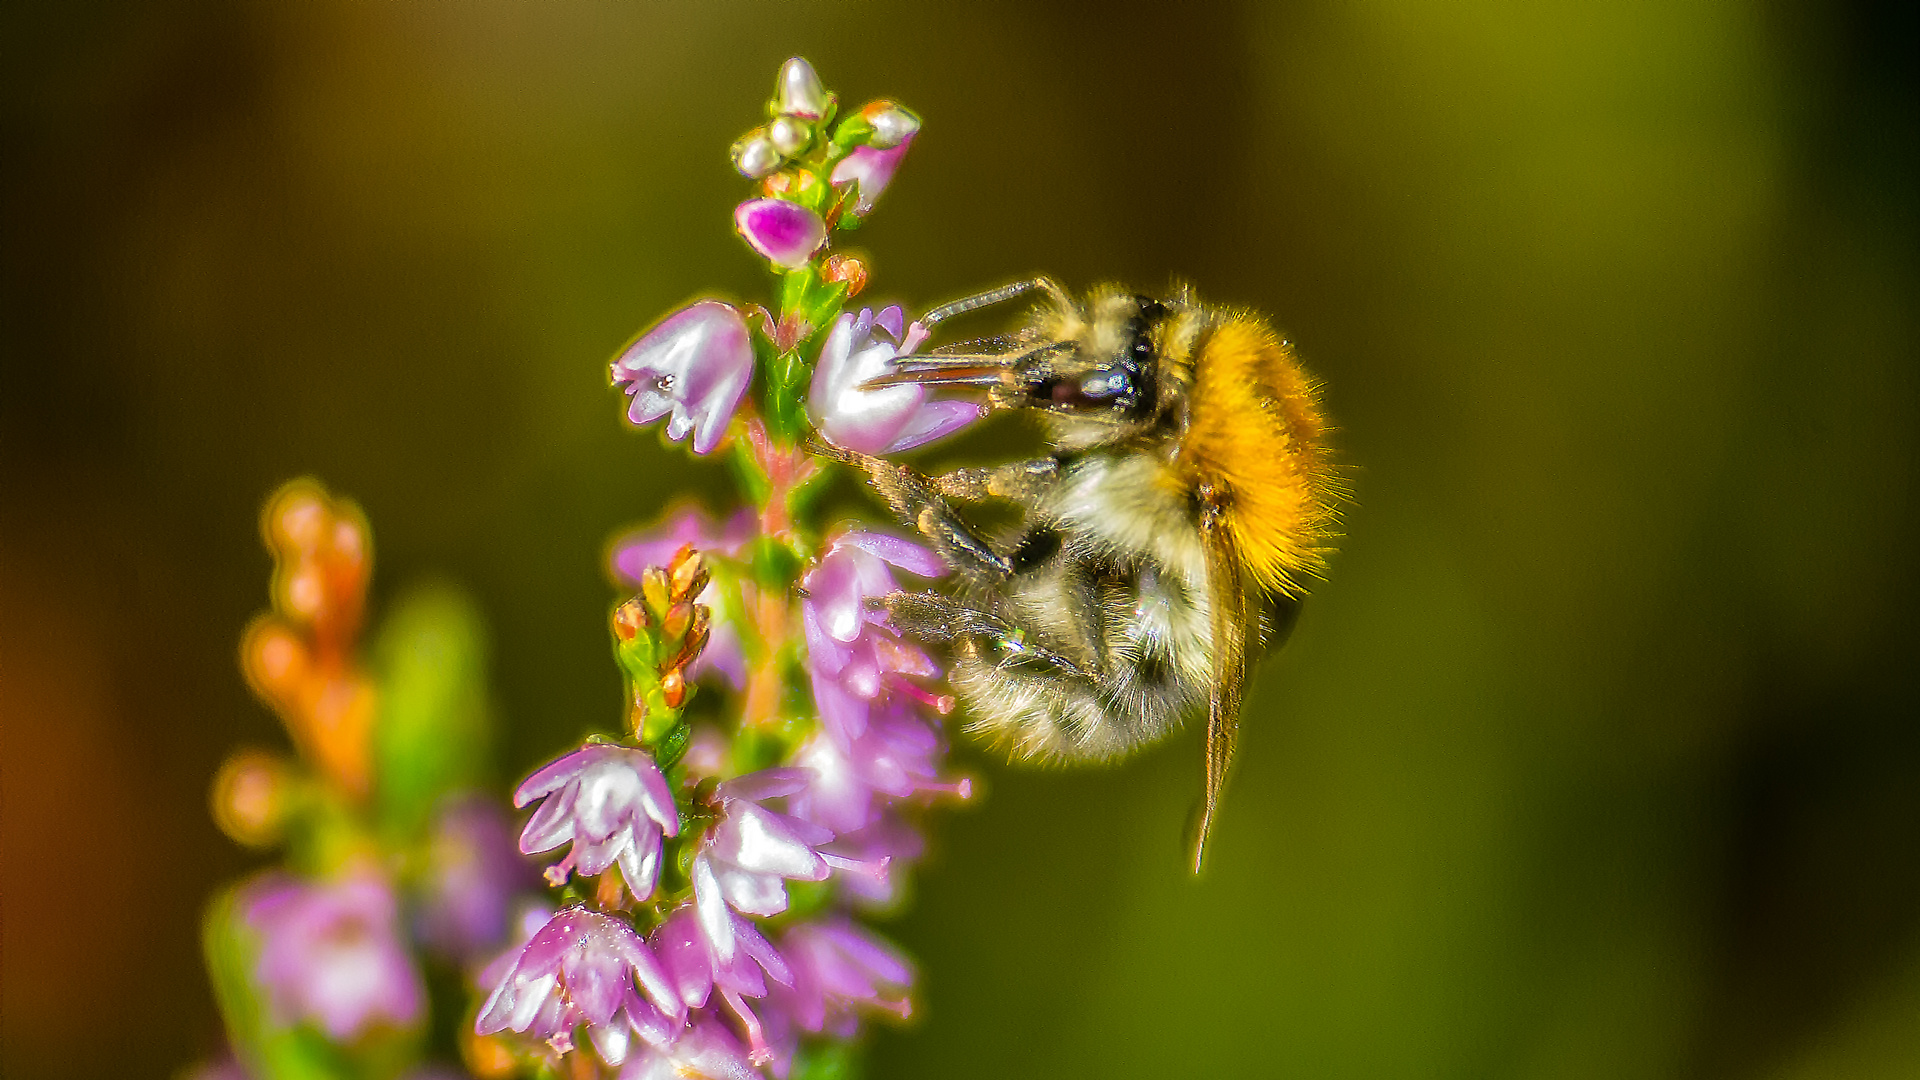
583 968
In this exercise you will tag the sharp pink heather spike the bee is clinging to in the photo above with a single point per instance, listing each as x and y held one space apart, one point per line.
715 856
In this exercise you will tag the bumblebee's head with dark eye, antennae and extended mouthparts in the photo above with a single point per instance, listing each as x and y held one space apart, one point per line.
1099 372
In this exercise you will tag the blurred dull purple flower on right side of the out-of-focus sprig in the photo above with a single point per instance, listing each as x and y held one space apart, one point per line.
473 875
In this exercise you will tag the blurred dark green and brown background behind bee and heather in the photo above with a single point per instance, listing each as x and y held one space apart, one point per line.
1596 756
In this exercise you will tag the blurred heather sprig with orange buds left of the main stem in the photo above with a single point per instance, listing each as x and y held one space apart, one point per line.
395 864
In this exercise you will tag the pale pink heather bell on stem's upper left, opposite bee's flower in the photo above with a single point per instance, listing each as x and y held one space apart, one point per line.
696 366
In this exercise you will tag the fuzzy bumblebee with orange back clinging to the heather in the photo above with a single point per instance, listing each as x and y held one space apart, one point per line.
1186 501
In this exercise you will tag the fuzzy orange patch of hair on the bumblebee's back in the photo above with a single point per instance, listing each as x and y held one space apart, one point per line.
1255 445
